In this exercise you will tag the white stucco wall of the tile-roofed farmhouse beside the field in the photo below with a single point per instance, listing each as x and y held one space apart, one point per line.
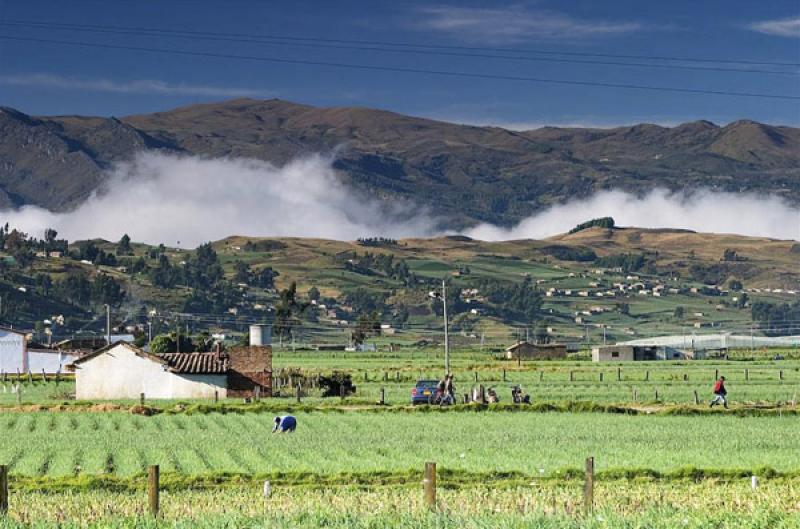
120 374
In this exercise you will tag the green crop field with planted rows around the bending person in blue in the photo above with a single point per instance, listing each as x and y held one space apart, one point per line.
369 444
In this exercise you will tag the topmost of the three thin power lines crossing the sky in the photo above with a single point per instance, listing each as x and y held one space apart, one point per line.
431 46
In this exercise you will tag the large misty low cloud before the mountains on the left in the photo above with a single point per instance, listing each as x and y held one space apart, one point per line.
158 198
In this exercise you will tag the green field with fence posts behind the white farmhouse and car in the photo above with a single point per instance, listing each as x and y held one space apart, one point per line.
755 380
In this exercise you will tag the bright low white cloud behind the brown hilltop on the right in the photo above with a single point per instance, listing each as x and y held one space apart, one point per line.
704 211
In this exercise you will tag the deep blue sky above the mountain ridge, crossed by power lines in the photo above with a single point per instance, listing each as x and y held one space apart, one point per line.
47 78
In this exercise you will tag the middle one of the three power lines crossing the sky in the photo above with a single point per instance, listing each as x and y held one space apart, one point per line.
285 41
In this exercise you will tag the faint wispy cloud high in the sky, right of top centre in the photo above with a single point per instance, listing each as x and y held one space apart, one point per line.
515 24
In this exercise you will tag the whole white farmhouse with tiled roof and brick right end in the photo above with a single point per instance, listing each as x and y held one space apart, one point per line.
123 371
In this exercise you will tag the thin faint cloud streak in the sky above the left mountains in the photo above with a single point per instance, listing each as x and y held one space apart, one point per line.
136 86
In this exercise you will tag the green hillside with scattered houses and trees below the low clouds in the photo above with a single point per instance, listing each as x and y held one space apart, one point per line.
621 283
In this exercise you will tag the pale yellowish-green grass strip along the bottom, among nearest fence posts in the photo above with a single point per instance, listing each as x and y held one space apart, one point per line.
545 505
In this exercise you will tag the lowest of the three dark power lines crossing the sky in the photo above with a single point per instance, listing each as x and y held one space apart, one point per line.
440 73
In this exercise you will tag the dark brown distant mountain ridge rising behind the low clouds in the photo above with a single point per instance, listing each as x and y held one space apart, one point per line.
465 174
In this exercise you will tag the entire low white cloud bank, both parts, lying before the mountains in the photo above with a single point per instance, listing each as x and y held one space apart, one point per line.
183 201
